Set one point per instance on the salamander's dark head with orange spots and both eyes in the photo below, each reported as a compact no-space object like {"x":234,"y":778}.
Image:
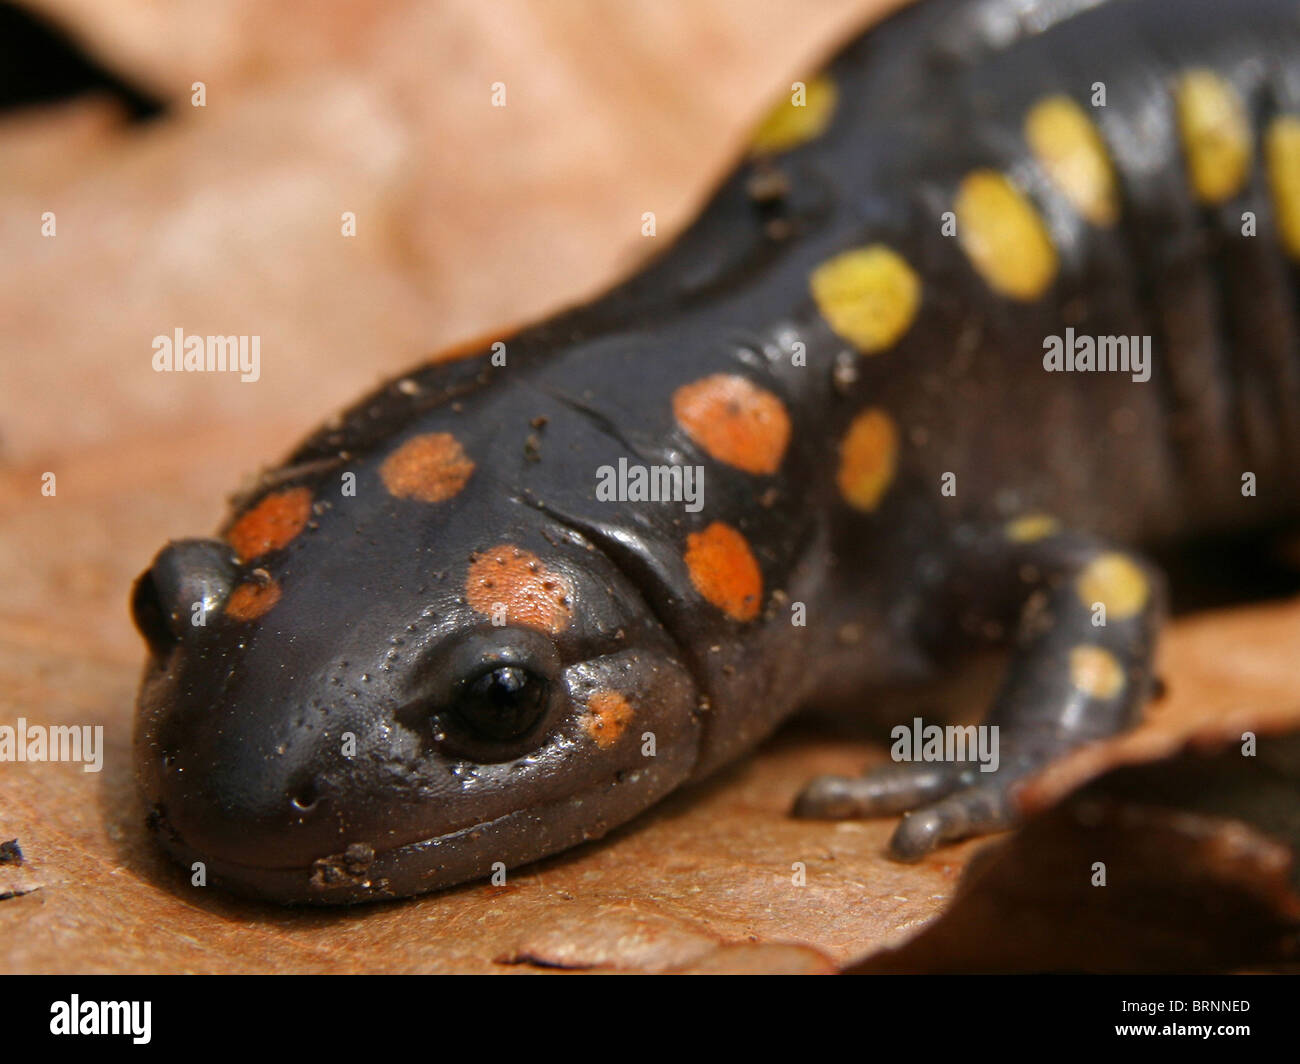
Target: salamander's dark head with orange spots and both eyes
{"x":356,"y":702}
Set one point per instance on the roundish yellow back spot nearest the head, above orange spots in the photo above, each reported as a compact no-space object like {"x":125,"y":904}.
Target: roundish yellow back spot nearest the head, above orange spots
{"x":869,"y":296}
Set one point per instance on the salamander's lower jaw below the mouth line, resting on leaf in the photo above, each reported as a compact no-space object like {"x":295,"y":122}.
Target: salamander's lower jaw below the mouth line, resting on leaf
{"x":359,"y":873}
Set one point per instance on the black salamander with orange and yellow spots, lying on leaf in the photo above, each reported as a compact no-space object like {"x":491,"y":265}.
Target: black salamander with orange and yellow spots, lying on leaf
{"x":993,"y":309}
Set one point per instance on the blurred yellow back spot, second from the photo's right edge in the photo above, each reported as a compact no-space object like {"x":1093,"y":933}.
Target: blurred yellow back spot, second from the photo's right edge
{"x":1216,"y":133}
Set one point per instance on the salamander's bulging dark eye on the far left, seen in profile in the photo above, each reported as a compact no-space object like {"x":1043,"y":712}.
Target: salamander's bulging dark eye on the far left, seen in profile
{"x":188,"y":579}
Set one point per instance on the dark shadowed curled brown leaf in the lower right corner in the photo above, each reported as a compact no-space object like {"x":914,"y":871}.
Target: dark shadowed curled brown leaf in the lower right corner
{"x":1202,"y":862}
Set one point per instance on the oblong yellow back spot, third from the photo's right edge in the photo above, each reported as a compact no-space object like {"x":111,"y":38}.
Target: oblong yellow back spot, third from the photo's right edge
{"x":1071,"y":149}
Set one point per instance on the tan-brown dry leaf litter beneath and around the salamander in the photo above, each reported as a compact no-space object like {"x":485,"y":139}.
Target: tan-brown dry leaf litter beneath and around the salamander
{"x":226,"y":220}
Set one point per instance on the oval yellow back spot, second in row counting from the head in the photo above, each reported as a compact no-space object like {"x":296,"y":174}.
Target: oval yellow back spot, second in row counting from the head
{"x":1004,"y":237}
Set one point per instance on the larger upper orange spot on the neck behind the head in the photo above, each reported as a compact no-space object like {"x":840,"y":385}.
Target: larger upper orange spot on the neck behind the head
{"x":735,"y":421}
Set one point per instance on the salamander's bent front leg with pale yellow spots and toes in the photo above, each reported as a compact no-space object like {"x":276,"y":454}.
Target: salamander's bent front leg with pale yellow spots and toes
{"x":1086,"y":617}
